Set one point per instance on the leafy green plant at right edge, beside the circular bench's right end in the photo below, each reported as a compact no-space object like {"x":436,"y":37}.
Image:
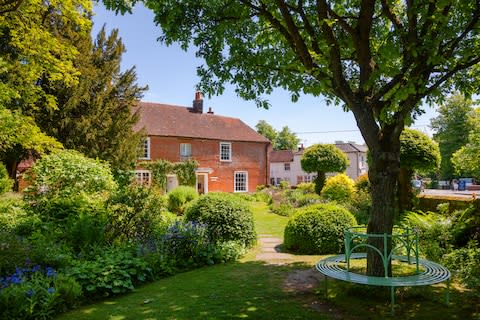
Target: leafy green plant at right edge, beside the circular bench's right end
{"x":465,"y":264}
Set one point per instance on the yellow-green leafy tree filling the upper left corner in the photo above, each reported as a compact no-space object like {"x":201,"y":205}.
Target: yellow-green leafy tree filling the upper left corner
{"x":33,"y":47}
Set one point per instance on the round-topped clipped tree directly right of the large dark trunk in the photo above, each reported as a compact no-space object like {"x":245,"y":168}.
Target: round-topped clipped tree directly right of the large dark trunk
{"x":418,"y":153}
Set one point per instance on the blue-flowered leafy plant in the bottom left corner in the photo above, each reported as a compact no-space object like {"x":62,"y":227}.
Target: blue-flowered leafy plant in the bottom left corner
{"x":36,"y":293}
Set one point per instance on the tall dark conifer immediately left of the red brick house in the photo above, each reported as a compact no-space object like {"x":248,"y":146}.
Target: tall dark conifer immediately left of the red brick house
{"x":95,"y":117}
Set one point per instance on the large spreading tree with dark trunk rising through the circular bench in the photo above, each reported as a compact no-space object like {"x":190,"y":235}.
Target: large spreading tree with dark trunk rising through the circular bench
{"x":379,"y":59}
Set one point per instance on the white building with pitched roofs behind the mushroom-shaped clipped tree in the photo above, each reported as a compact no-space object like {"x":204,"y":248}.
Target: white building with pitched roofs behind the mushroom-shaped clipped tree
{"x":285,"y":164}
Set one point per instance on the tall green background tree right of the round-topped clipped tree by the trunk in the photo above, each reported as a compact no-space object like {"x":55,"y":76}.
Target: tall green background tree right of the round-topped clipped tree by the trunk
{"x":451,"y":130}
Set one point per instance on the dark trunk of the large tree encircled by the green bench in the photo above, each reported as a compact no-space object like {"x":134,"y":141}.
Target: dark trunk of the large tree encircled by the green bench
{"x":383,"y":173}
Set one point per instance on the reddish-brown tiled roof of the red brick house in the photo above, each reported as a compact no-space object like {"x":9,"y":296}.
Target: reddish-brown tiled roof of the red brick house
{"x":175,"y":121}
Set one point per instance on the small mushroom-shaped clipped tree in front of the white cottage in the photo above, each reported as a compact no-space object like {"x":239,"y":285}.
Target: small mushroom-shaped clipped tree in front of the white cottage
{"x":323,"y":158}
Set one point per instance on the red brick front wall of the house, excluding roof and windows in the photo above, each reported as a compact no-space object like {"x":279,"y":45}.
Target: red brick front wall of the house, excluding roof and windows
{"x":246,"y":156}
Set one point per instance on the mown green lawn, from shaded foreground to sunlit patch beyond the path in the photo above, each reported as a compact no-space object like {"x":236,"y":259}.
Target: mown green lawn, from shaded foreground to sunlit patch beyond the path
{"x":254,"y":290}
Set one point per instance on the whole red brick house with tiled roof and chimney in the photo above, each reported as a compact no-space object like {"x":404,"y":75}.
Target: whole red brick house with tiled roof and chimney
{"x":232,"y":156}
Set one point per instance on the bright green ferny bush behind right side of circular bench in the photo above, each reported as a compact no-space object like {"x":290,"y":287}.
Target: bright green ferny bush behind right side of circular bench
{"x":434,"y":233}
